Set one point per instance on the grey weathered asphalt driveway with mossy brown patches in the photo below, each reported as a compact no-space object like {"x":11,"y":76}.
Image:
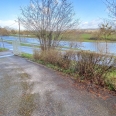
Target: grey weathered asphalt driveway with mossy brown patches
{"x":29,"y":89}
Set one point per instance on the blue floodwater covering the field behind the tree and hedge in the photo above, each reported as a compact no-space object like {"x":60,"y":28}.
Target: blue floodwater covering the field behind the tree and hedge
{"x":92,"y":46}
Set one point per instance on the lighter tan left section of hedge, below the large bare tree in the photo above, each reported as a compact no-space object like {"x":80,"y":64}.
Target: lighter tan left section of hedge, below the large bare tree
{"x":55,"y":57}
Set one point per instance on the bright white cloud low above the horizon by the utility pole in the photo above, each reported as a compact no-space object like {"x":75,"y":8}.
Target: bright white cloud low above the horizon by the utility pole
{"x":10,"y":24}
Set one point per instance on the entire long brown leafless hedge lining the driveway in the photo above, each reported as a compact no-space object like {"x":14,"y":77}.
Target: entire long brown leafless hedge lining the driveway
{"x":84,"y":65}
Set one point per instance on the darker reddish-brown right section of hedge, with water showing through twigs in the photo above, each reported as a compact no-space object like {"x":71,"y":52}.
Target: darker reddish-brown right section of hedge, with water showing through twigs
{"x":94,"y":66}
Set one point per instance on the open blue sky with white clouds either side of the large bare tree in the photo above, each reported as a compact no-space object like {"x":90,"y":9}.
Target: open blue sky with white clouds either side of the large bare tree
{"x":90,"y":12}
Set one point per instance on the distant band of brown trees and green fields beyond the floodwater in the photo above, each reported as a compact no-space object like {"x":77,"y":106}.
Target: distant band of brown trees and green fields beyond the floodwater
{"x":71,"y":35}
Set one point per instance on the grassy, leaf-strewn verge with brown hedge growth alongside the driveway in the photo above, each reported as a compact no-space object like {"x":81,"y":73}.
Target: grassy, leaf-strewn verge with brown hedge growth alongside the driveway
{"x":81,"y":71}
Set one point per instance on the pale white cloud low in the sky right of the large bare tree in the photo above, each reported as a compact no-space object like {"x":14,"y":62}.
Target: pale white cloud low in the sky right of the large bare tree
{"x":90,"y":24}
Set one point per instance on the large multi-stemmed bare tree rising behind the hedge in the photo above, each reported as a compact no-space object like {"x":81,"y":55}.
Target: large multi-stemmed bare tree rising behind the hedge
{"x":48,"y":19}
